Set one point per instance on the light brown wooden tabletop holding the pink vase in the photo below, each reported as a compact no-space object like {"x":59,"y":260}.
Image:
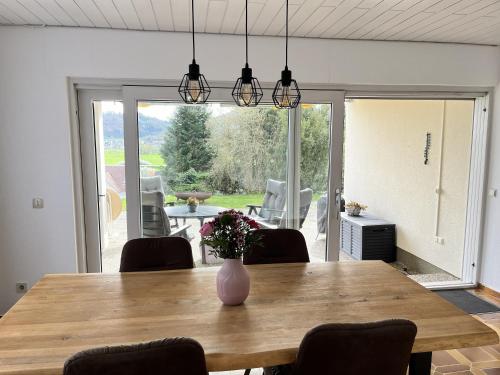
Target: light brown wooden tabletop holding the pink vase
{"x":66,"y":313}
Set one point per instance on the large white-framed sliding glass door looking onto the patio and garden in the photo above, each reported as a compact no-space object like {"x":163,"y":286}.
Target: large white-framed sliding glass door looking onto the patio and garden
{"x":148,"y":155}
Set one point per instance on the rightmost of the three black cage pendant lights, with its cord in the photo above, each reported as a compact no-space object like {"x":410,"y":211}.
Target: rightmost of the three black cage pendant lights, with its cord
{"x":286,"y":94}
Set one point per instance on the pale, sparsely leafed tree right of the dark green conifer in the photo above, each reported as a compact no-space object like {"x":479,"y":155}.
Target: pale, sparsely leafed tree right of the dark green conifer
{"x":251,"y":147}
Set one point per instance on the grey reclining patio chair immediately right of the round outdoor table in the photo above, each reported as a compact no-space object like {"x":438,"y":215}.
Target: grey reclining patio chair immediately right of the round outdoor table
{"x":274,"y":202}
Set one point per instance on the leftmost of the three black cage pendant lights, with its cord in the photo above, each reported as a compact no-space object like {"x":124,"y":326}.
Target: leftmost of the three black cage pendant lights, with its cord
{"x":194,"y":87}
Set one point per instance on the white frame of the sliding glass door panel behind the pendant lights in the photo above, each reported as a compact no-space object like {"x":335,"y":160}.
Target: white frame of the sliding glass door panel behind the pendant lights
{"x":222,"y":93}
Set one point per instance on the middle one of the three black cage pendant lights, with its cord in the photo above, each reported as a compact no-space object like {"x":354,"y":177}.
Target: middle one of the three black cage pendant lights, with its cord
{"x":247,"y":91}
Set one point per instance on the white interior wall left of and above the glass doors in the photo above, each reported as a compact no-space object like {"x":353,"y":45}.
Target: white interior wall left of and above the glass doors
{"x":34,"y":120}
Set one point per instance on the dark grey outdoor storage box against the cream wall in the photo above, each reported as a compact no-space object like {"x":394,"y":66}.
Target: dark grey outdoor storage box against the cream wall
{"x":368,"y":238}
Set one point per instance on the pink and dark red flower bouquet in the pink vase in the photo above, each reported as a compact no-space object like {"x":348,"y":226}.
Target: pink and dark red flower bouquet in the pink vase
{"x":230,"y":234}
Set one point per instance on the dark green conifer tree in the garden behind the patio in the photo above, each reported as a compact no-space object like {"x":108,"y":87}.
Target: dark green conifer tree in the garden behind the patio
{"x":185,"y":149}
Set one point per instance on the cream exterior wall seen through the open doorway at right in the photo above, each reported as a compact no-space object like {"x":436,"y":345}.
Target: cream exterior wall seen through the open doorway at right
{"x":384,"y":169}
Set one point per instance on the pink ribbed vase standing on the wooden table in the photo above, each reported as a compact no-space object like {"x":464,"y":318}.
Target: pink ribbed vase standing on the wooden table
{"x":233,"y":282}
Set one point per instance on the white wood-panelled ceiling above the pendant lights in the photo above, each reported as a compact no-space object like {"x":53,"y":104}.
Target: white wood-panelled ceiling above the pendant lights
{"x":460,"y":21}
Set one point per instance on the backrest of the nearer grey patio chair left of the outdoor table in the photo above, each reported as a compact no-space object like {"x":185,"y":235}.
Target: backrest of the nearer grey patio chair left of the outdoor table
{"x":155,"y":222}
